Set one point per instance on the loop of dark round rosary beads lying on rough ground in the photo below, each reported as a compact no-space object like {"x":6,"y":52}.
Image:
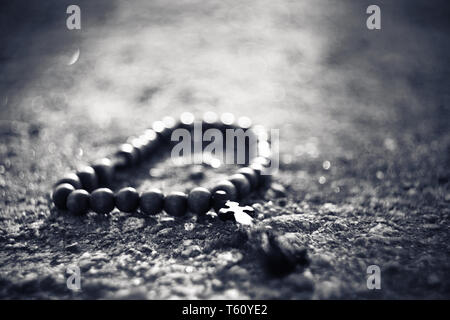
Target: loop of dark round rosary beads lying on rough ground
{"x":87,"y":189}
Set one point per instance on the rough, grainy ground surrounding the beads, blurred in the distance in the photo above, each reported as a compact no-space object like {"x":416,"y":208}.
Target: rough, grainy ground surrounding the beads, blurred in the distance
{"x":364,"y":146}
